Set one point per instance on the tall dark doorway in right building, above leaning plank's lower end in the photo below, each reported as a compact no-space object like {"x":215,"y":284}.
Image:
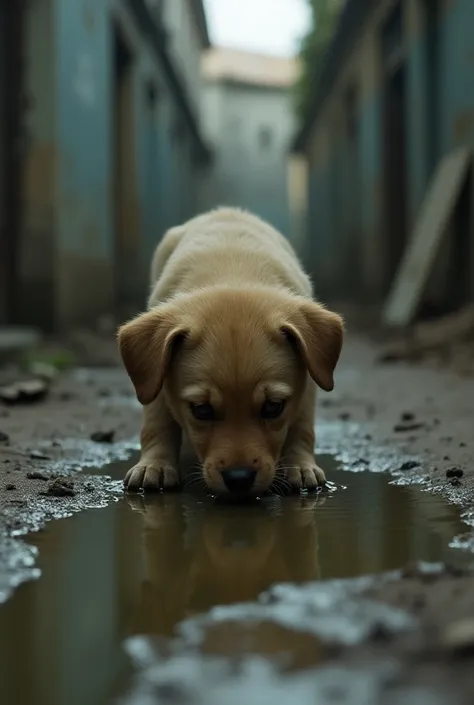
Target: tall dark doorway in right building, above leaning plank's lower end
{"x":394,"y":142}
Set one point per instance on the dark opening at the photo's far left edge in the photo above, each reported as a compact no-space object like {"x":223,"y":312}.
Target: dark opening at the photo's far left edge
{"x":11,"y":55}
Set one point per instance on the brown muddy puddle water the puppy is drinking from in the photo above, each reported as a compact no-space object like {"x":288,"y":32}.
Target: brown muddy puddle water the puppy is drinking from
{"x":142,"y":566}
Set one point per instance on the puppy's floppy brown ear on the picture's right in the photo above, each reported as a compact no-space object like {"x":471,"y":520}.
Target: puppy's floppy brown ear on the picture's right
{"x":318,"y":335}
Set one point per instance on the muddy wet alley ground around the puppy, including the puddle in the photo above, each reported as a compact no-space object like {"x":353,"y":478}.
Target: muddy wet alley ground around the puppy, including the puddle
{"x":405,"y":636}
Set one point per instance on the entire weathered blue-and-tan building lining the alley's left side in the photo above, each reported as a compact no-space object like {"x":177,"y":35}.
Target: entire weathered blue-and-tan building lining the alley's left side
{"x":102,"y":153}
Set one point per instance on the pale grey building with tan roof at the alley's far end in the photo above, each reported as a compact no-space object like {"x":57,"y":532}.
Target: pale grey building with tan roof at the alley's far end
{"x":248,"y":116}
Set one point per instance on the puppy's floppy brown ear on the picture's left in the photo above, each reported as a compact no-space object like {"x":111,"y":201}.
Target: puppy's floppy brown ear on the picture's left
{"x":146,"y":345}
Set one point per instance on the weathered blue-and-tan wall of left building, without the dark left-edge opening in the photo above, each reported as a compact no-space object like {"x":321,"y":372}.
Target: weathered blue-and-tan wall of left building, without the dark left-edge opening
{"x":86,"y":242}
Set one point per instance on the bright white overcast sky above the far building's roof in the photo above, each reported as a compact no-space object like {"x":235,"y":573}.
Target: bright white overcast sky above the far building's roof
{"x":257,"y":25}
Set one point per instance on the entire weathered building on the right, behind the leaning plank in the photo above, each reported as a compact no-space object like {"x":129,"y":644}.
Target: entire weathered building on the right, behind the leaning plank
{"x":396,"y":94}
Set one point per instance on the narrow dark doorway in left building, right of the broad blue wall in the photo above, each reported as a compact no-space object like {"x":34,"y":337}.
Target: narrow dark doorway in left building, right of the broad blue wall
{"x":123,"y":171}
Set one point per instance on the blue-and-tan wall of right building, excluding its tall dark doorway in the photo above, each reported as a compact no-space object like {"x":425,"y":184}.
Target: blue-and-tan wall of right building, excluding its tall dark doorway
{"x":346,"y":244}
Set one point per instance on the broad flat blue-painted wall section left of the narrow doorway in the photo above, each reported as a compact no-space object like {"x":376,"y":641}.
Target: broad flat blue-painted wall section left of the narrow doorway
{"x":83,"y":83}
